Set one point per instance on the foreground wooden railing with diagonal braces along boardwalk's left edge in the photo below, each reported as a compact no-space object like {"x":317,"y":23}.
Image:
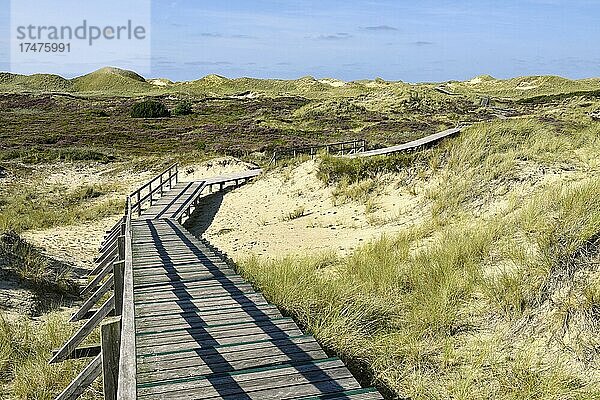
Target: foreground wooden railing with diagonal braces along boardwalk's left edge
{"x":114,"y":358}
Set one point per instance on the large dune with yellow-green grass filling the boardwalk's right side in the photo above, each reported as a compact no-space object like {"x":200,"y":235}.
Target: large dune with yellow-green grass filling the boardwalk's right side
{"x":494,"y":295}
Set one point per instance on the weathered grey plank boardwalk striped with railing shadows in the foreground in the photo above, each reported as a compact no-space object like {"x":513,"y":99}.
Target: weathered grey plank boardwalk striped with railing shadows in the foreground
{"x":192,"y":328}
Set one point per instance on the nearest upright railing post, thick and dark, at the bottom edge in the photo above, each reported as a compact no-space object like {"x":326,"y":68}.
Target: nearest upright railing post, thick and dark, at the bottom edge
{"x":110,"y":343}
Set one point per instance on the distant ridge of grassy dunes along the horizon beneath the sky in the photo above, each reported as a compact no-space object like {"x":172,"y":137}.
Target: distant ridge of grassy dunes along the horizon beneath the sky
{"x":111,"y":81}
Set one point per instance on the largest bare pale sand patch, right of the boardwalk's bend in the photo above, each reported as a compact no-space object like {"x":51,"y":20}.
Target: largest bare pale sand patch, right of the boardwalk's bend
{"x":254,"y":219}
